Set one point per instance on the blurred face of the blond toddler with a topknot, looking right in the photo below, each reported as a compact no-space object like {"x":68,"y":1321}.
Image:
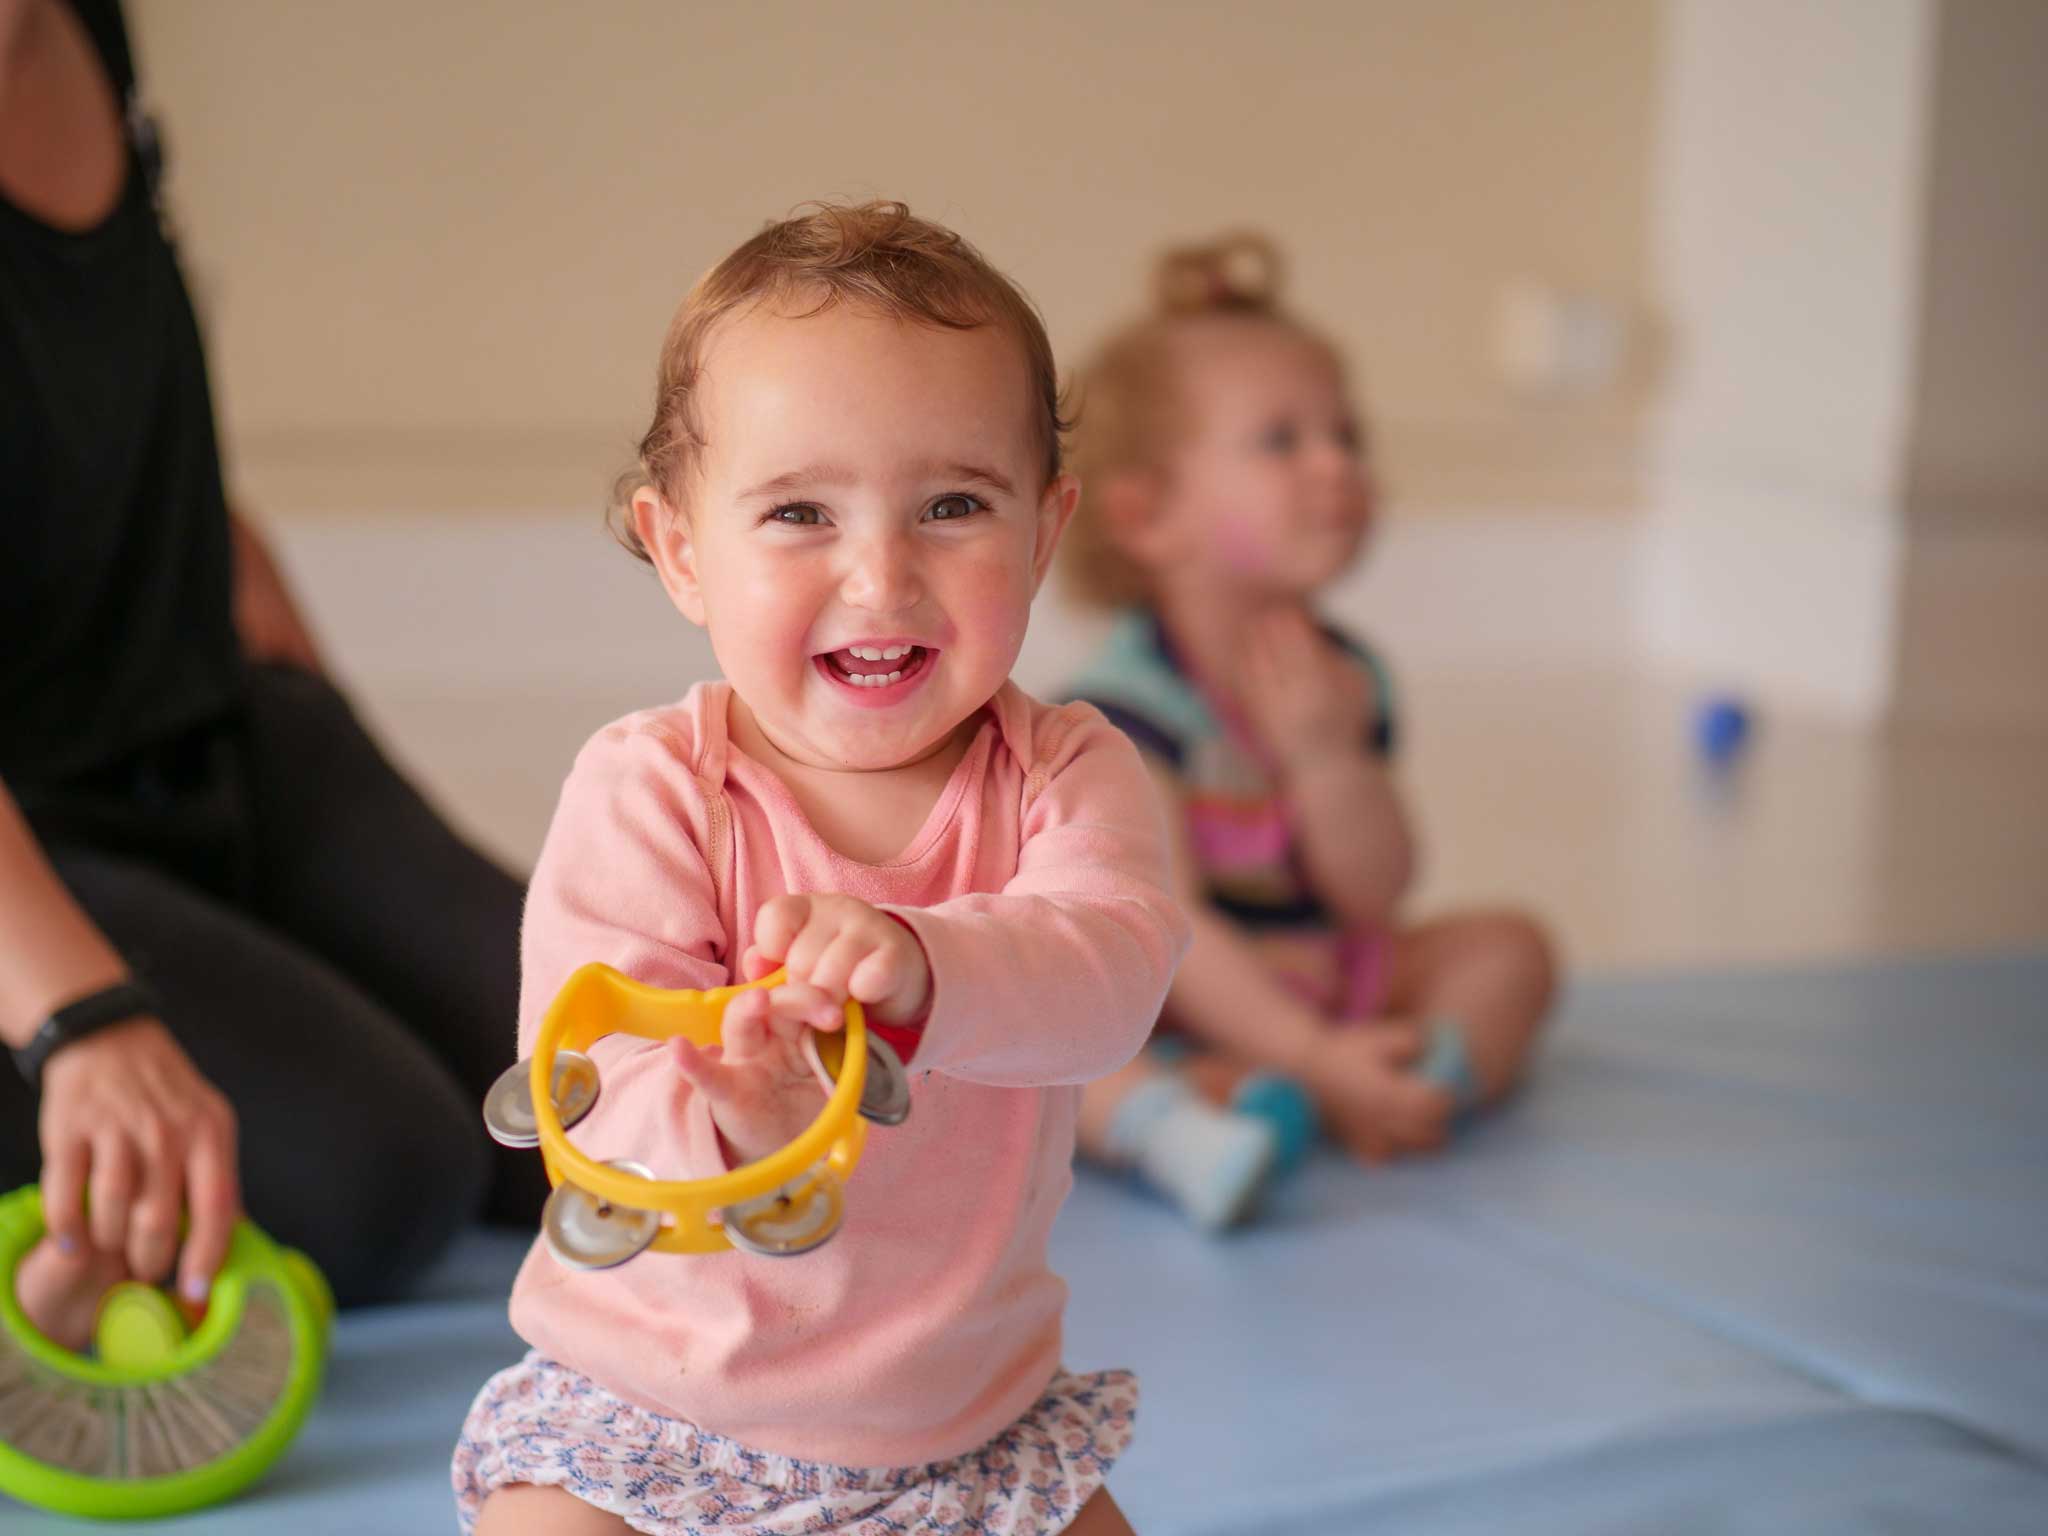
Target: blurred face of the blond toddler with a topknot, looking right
{"x":1269,"y":486}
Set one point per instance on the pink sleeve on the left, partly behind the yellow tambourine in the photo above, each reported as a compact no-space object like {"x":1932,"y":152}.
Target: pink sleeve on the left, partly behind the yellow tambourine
{"x":622,"y":880}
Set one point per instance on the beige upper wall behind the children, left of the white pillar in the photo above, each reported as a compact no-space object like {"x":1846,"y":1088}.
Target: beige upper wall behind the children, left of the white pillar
{"x":437,"y":243}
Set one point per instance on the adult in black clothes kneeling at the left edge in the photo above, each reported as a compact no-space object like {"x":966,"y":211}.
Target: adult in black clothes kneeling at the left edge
{"x":278,"y":978}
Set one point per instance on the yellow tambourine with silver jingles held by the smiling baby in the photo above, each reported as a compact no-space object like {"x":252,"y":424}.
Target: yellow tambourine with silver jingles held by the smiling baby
{"x":607,"y":1213}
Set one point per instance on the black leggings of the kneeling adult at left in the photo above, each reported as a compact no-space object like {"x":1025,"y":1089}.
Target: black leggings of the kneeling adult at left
{"x":331,"y":955}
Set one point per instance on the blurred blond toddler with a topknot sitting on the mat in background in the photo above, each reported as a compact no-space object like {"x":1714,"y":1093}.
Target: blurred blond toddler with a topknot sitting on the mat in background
{"x":1228,"y":488}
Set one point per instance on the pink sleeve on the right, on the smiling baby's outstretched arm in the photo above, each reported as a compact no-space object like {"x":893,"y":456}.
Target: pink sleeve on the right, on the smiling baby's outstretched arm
{"x":1060,"y":978}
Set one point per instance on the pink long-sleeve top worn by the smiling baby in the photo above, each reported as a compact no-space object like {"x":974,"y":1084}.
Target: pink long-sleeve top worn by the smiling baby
{"x":1039,"y":892}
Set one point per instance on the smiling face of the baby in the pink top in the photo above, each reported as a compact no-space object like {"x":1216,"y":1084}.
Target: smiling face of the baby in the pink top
{"x":865,"y":527}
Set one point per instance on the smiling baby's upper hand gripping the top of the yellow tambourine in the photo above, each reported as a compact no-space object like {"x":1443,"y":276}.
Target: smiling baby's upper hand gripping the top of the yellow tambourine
{"x":839,"y":947}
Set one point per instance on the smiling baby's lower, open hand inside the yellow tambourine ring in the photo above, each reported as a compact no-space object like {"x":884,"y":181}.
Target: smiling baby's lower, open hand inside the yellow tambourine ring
{"x":761,"y":1089}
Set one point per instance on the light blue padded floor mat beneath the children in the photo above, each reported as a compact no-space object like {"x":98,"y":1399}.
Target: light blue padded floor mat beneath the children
{"x":1754,"y":1254}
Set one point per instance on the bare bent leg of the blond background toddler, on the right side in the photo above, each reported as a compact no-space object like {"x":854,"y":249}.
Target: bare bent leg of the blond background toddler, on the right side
{"x":1494,"y":974}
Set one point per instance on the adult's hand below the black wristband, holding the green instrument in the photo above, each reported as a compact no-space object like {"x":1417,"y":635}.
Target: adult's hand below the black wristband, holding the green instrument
{"x":130,"y":1121}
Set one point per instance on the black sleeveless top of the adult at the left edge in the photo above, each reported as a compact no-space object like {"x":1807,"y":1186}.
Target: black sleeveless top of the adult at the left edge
{"x":116,"y":603}
